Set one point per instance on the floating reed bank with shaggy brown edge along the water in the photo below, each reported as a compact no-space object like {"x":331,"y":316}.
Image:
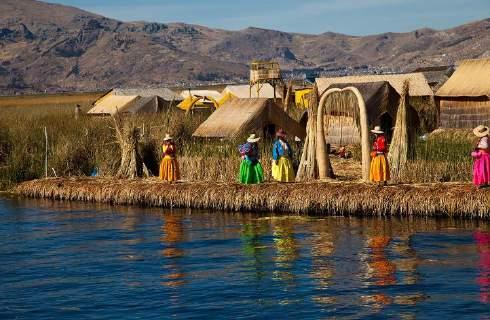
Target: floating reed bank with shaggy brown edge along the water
{"x":319,"y":198}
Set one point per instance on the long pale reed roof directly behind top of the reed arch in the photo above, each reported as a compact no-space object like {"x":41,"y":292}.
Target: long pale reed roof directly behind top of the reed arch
{"x":418,"y":83}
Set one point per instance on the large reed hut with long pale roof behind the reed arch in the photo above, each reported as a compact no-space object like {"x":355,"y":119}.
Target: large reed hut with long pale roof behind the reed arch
{"x":381,"y":94}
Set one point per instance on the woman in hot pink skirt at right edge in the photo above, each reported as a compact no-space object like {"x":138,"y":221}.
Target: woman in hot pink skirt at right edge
{"x":481,"y":156}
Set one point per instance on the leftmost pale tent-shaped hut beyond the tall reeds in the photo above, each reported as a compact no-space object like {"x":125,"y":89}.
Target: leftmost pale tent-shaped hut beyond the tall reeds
{"x":134,"y":101}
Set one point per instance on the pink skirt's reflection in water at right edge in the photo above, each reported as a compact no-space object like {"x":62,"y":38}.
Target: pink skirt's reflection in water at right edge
{"x":483,"y":245}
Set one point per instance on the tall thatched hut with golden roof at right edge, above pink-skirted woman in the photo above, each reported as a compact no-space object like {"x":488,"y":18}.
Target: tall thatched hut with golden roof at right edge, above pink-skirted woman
{"x":464,"y":100}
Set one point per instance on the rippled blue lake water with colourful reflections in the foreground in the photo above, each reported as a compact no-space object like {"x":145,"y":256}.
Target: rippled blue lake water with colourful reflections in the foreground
{"x":85,"y":261}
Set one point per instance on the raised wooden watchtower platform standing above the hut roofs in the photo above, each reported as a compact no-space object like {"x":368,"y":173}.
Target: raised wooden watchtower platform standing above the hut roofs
{"x":262,"y":72}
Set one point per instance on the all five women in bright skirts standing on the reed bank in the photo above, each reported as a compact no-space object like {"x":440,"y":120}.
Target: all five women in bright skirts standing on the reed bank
{"x":252,"y":172}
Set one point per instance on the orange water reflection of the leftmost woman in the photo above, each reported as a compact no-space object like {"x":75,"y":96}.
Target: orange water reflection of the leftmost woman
{"x":172,"y":235}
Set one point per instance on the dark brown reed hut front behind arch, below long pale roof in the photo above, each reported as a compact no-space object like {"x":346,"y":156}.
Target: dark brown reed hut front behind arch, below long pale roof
{"x":341,"y":120}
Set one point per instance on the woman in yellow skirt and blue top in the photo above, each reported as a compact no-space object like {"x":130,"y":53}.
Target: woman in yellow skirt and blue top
{"x":282,"y":164}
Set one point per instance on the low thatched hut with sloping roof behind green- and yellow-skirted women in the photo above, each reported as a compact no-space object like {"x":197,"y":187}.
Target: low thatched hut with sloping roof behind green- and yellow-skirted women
{"x":240,"y":117}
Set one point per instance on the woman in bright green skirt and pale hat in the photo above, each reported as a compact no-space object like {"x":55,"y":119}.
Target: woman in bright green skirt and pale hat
{"x":251,"y":171}
